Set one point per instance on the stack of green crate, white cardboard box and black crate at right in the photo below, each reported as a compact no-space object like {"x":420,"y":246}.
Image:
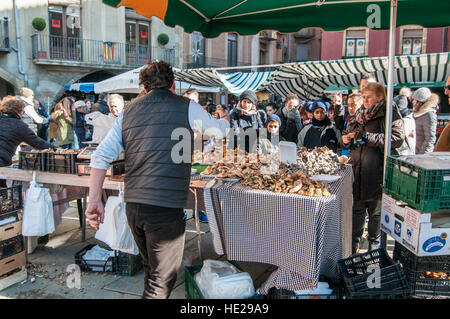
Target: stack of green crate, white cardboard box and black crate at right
{"x":416,"y":214}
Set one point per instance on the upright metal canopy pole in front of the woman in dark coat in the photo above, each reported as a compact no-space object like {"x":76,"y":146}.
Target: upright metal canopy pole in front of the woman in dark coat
{"x":390,"y":97}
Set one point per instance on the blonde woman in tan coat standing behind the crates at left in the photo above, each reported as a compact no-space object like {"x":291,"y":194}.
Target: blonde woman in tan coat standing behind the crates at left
{"x":65,"y":118}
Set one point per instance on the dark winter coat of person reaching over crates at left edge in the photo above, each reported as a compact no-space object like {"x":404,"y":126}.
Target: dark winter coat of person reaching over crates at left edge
{"x":14,"y":131}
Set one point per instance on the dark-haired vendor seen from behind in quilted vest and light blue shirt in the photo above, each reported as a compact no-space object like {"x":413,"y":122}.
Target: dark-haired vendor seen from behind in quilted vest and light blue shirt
{"x":156,"y":182}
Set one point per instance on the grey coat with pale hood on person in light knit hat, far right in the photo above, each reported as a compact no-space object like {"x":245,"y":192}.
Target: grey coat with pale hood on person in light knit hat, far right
{"x":426,"y":123}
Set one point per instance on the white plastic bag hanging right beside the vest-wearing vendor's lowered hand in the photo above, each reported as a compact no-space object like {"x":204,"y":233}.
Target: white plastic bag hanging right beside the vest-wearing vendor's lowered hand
{"x":115,"y":231}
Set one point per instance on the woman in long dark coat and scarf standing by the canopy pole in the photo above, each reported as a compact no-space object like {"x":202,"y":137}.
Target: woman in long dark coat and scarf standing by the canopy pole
{"x":364,"y":136}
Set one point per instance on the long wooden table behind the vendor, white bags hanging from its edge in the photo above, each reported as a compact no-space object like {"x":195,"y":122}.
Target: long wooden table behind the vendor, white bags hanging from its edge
{"x":83,"y":181}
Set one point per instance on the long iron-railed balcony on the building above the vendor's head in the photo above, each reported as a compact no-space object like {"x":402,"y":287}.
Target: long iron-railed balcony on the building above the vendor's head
{"x":56,"y":50}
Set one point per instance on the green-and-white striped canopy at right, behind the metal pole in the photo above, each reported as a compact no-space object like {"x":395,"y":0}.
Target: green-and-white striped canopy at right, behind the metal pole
{"x":310,"y":79}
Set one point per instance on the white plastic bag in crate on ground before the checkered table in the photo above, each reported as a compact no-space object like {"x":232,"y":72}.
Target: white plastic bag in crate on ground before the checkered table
{"x":221,"y":280}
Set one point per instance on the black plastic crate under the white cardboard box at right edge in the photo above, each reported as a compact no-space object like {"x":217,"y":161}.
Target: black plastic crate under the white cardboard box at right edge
{"x":415,"y":269}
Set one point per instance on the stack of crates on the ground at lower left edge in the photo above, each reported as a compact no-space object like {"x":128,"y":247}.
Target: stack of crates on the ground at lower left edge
{"x":12,"y":250}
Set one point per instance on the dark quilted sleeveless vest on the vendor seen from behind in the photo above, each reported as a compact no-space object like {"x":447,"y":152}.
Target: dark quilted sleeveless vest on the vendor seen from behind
{"x":151,"y":176}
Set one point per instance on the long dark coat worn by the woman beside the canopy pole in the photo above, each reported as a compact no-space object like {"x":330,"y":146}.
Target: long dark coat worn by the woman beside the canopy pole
{"x":368,"y":159}
